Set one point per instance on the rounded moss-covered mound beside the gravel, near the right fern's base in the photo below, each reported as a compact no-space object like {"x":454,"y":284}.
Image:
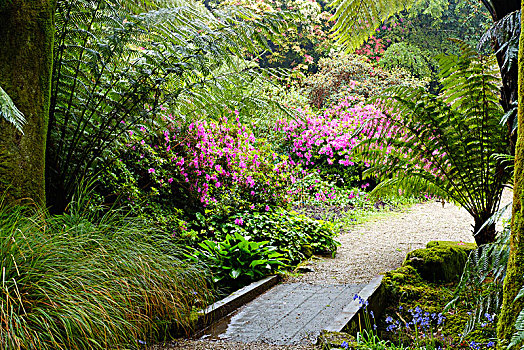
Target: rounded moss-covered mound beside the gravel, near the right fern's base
{"x":440,"y":261}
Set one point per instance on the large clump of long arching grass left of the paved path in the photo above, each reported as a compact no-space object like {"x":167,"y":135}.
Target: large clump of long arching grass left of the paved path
{"x":73,"y":282}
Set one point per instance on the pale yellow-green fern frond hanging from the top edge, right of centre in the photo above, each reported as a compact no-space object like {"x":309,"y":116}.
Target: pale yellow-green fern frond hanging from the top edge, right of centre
{"x":356,"y":20}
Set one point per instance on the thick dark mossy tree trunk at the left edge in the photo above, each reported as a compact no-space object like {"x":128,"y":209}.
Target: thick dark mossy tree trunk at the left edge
{"x":26,"y":56}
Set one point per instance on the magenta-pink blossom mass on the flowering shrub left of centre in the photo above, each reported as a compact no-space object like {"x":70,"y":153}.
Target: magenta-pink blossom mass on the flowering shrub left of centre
{"x":217,"y":161}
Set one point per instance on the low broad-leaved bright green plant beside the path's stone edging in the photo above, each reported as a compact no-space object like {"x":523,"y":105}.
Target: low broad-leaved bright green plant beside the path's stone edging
{"x":236,"y":260}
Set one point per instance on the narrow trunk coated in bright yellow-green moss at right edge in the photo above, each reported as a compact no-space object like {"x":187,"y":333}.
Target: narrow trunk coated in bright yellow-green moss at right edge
{"x":515,"y":273}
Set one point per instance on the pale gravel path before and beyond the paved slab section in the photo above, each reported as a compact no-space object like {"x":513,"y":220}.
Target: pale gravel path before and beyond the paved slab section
{"x":368,"y":250}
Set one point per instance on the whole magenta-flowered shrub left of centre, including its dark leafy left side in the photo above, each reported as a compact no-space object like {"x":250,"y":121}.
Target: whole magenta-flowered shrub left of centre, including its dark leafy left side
{"x":219,"y":166}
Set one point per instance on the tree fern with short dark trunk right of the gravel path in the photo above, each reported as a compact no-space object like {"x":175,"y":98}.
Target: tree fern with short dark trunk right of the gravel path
{"x":445,"y":143}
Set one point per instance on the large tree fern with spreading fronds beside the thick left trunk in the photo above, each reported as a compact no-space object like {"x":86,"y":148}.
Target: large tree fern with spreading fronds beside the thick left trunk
{"x":116,"y":66}
